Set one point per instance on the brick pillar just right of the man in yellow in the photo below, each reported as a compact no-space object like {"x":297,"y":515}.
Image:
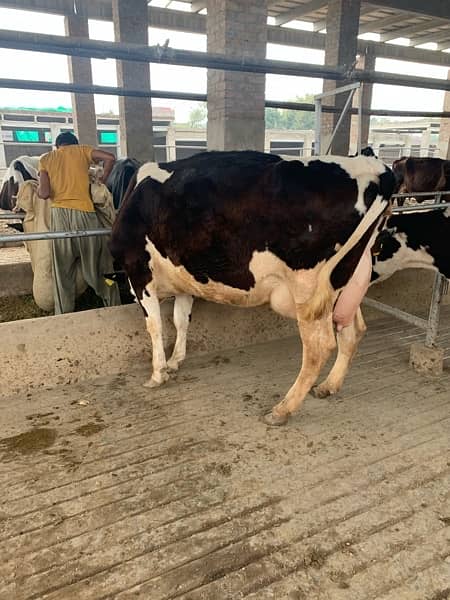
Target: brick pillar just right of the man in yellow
{"x":136,"y":132}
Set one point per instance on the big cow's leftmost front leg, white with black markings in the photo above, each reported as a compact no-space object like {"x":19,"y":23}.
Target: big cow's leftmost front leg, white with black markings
{"x":153,"y":322}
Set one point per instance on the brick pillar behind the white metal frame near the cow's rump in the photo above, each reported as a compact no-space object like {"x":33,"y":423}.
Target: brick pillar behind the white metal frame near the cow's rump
{"x":340,"y":49}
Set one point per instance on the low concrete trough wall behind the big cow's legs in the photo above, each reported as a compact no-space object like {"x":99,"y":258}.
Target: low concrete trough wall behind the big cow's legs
{"x":91,"y":343}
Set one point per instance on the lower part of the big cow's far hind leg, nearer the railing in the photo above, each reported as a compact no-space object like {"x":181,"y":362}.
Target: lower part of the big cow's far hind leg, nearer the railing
{"x":348,"y":340}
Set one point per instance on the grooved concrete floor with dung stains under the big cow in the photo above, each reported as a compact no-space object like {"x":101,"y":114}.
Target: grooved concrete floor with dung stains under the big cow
{"x":111,"y":490}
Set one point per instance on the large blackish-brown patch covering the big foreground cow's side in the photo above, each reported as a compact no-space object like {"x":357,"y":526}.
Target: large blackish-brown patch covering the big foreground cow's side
{"x":218,"y":208}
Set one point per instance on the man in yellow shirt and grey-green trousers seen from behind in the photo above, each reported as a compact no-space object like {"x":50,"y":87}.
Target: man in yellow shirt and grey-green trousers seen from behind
{"x":64,"y":179}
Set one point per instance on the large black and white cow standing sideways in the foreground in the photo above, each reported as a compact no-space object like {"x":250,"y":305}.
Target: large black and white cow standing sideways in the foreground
{"x":245,"y":228}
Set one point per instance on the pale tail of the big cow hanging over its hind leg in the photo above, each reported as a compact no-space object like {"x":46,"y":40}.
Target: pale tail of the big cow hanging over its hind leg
{"x":322,"y":300}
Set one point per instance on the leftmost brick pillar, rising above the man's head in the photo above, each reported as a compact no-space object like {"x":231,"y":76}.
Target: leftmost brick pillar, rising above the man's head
{"x":80,"y":72}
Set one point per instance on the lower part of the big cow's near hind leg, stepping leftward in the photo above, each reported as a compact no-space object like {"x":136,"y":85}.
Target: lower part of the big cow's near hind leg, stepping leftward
{"x":318,"y":341}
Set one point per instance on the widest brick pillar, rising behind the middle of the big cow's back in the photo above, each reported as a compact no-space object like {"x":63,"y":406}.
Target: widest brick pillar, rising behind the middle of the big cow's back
{"x":236,"y":100}
